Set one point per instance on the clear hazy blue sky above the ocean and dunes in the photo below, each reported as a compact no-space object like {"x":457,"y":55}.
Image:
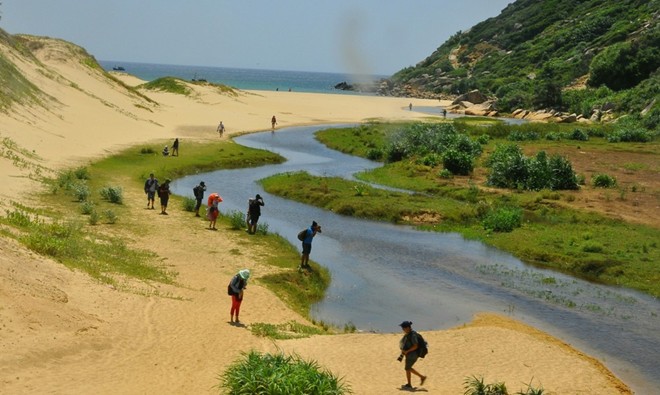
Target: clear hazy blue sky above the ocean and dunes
{"x":350,"y":36}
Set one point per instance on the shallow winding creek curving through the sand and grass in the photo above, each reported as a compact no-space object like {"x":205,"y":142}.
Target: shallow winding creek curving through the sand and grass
{"x":383,"y":274}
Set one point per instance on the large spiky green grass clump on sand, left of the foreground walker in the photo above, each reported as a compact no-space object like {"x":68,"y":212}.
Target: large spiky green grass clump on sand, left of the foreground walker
{"x":277,"y":374}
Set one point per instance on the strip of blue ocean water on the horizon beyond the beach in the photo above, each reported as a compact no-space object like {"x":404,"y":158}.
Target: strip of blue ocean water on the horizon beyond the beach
{"x":249,"y":79}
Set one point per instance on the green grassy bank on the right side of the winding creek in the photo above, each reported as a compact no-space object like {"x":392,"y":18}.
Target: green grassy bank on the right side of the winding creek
{"x":550,"y":232}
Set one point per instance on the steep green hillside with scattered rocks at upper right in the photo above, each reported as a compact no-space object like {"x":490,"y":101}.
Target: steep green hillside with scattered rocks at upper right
{"x":568,"y":55}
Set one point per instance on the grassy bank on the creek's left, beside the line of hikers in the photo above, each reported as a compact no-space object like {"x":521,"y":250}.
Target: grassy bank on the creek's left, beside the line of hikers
{"x":85,"y":222}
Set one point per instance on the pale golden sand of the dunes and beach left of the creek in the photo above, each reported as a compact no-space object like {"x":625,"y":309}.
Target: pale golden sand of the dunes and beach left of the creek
{"x":62,"y":332}
